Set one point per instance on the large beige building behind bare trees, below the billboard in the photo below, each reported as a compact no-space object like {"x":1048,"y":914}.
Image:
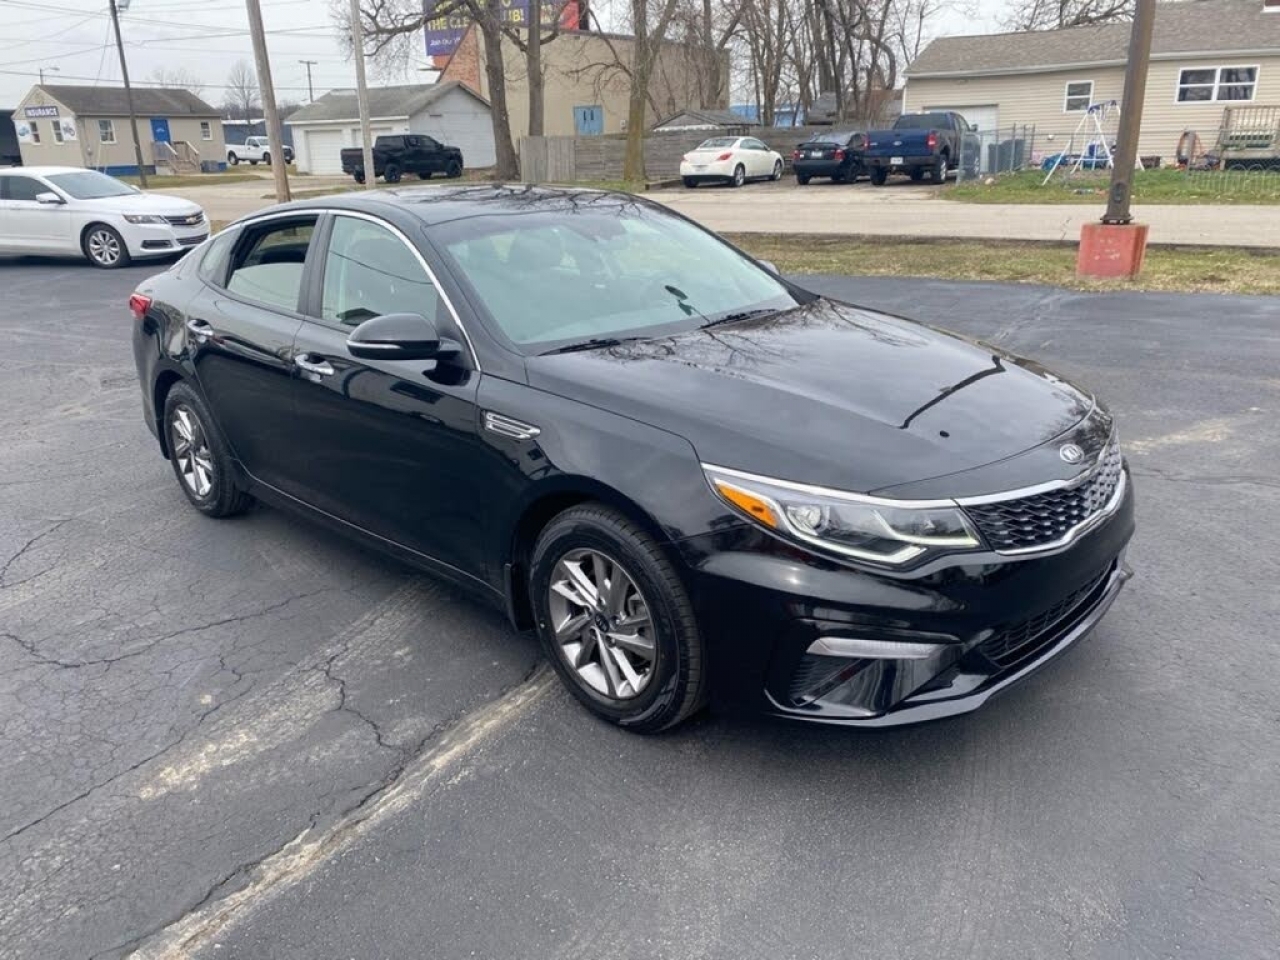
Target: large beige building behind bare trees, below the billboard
{"x":586,"y":93}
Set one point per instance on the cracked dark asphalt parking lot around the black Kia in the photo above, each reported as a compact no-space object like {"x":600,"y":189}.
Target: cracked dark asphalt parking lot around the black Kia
{"x":250,"y":739}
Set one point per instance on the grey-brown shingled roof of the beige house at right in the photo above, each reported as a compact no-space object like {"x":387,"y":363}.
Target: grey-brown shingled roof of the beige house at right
{"x":1182,"y":29}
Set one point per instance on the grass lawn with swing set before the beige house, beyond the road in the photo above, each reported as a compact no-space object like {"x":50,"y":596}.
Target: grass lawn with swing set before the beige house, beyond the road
{"x":1149,"y":188}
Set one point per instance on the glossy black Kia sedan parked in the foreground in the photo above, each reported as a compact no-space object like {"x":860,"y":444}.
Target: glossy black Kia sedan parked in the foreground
{"x":694,"y":479}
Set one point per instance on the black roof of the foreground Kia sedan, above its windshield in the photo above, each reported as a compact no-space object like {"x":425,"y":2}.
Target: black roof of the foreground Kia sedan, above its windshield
{"x":442,"y":204}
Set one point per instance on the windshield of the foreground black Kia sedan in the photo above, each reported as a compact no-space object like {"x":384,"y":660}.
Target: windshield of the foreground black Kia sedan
{"x":605,"y":272}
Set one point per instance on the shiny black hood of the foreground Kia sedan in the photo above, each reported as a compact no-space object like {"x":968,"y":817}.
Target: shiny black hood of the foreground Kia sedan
{"x":828,"y":395}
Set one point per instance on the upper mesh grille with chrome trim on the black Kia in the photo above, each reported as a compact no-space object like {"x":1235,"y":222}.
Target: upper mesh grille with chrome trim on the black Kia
{"x":1044,"y":519}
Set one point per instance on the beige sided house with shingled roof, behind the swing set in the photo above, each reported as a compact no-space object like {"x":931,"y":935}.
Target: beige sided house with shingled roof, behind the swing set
{"x":1205,"y":56}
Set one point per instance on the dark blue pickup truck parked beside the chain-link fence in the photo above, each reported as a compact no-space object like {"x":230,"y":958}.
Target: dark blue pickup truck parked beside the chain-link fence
{"x":918,"y":144}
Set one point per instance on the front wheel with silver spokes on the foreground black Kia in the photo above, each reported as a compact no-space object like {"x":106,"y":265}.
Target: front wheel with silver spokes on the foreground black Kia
{"x":616,"y":621}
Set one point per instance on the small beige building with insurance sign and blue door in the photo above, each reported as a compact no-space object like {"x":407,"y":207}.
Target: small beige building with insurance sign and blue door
{"x":67,"y":126}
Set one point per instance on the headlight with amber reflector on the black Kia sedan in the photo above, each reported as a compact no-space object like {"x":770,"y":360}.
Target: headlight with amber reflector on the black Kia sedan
{"x":847,"y":524}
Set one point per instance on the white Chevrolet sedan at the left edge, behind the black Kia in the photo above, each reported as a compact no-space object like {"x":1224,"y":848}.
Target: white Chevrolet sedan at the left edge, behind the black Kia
{"x":67,"y":211}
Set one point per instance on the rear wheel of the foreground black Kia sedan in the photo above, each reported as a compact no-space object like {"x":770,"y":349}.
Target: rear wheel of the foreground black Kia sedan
{"x":200,"y":458}
